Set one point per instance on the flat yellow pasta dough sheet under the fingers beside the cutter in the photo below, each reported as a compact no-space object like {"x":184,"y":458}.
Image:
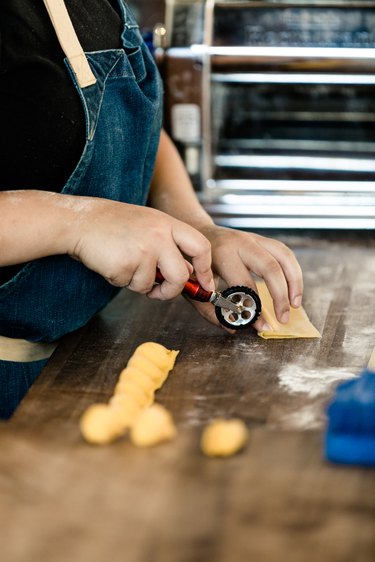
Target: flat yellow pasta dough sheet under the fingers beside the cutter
{"x":299,"y":325}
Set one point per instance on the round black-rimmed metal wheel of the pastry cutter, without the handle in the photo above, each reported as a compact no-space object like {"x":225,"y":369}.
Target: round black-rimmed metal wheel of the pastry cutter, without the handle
{"x":250,"y":308}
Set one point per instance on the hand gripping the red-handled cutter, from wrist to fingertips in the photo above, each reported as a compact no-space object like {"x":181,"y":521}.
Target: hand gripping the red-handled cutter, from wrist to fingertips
{"x":126,"y":243}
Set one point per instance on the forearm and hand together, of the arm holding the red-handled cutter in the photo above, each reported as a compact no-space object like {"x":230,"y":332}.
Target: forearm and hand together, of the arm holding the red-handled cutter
{"x":122,"y":242}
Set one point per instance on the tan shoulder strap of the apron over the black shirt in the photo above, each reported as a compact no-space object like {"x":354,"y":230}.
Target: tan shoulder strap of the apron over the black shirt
{"x":69,"y":42}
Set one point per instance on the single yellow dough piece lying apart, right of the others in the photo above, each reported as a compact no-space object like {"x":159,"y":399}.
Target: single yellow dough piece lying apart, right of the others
{"x":223,"y":438}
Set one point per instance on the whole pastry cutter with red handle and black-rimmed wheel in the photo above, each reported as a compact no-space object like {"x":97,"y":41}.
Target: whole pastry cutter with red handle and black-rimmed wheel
{"x":235,"y":307}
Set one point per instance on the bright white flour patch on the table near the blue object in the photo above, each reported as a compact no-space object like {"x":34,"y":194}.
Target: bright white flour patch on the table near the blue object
{"x":313,"y":382}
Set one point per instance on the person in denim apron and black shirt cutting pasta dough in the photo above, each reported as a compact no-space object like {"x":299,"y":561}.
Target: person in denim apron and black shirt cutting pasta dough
{"x":94,"y":195}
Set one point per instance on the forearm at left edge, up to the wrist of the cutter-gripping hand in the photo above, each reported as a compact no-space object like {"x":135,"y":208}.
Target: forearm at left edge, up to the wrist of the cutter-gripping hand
{"x":34,"y":224}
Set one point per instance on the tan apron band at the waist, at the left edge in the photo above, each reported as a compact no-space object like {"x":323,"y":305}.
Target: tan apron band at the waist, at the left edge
{"x":23,"y":351}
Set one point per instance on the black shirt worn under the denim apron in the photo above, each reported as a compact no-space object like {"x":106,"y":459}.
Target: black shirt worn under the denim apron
{"x":41,"y":117}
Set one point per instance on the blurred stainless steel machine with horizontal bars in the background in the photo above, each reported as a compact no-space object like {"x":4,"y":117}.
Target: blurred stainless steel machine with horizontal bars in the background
{"x":272,"y":106}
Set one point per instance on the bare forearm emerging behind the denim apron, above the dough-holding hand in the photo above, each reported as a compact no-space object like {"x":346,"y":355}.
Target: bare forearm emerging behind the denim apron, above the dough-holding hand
{"x":171,"y":188}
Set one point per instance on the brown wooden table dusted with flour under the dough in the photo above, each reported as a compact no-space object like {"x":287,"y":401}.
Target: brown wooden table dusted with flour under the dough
{"x":64,"y":500}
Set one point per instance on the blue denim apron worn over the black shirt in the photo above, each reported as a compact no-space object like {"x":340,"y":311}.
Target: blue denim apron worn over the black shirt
{"x":53,"y":296}
